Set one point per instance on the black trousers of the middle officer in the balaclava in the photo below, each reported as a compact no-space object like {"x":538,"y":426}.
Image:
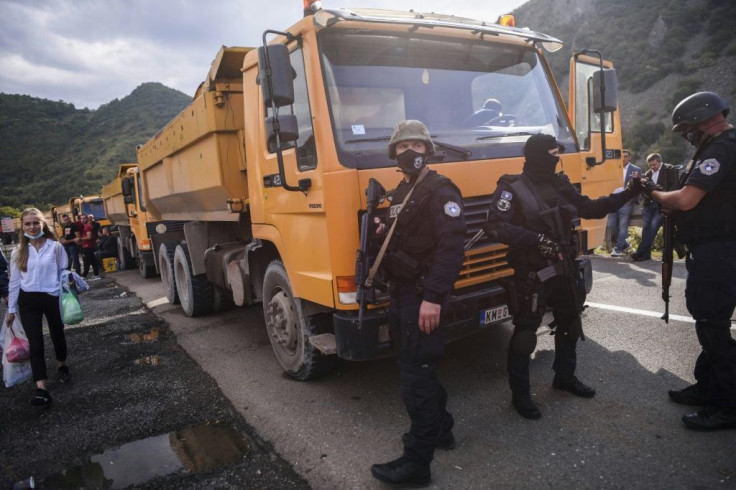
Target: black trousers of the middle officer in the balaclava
{"x":533,"y":299}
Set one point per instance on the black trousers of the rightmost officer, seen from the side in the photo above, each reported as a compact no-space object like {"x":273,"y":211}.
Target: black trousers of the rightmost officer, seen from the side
{"x":710,"y":294}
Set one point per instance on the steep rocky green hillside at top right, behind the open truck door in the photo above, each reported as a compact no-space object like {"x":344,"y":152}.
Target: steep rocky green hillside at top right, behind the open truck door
{"x":663,"y":50}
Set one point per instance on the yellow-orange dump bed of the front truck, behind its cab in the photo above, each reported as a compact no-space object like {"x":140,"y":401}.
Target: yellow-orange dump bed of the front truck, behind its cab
{"x":196,"y":163}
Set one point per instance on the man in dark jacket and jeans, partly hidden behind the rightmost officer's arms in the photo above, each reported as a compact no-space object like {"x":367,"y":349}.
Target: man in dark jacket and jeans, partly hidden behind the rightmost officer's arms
{"x":665,"y":176}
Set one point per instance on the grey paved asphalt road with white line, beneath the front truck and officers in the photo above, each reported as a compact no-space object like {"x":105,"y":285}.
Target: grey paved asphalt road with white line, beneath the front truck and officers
{"x":629,"y":436}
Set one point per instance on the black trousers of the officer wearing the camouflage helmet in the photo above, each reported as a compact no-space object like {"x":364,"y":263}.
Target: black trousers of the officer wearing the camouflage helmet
{"x":417,"y":354}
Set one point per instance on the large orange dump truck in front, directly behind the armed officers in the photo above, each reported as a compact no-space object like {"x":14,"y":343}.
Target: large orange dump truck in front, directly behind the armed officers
{"x":258,"y":187}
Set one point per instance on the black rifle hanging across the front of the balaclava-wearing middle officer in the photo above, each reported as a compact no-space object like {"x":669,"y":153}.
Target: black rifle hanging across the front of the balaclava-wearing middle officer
{"x":569,"y":267}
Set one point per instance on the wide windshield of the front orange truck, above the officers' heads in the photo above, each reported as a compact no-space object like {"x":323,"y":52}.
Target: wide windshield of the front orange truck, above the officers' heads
{"x":479,"y":99}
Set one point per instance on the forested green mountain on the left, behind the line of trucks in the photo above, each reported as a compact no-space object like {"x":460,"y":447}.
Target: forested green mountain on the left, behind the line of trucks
{"x":52,"y":151}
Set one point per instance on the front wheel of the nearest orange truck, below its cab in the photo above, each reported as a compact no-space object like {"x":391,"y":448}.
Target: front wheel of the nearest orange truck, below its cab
{"x":288,"y":330}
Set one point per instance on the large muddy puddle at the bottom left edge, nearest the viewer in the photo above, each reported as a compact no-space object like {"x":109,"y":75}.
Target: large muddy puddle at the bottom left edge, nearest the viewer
{"x":194,"y":449}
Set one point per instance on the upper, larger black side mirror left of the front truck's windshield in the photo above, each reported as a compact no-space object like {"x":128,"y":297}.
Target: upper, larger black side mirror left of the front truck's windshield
{"x":275,"y":72}
